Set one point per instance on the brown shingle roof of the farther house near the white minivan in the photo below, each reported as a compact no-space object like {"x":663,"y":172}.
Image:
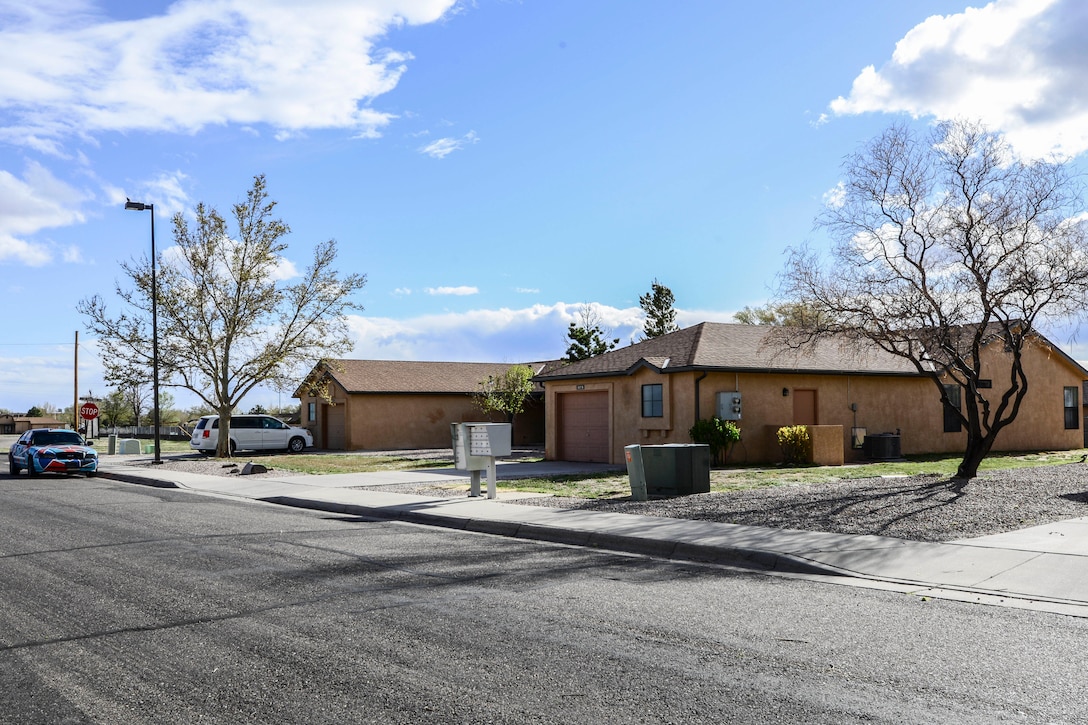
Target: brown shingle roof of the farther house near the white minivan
{"x":415,"y":377}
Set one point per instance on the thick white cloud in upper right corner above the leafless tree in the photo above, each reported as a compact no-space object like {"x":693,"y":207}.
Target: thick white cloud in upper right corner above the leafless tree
{"x":1017,"y":65}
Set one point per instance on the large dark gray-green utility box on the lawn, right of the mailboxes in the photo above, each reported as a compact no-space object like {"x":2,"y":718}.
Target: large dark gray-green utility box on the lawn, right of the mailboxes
{"x":670,"y":471}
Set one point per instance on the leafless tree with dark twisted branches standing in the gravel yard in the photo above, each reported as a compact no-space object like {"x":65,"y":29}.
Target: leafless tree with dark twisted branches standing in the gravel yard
{"x":947,"y":247}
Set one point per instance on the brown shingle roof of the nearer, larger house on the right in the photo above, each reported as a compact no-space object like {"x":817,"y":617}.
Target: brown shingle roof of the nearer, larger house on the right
{"x":722,"y":347}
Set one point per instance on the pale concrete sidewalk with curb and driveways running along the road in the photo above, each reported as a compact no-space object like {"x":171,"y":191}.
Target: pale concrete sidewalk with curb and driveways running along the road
{"x":1044,"y":569}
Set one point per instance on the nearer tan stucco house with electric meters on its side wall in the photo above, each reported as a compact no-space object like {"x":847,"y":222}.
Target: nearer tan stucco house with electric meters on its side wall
{"x":654,"y":391}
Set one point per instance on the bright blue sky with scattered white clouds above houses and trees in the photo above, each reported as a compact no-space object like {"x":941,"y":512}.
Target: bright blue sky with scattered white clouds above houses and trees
{"x":489,"y":166}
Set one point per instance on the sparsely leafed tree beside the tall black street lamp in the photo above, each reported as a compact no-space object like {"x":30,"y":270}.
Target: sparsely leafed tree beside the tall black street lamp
{"x":226,"y":326}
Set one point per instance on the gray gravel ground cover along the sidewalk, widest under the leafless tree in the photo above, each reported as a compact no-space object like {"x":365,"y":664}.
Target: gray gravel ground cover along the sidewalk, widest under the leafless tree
{"x":920,"y":508}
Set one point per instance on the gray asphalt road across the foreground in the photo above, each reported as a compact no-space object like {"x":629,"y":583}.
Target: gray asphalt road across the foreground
{"x":129,"y":605}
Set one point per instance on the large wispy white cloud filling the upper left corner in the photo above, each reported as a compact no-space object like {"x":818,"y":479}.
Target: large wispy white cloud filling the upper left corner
{"x":293,"y":67}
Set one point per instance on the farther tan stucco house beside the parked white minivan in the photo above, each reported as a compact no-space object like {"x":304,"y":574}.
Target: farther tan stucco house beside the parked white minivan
{"x":380,"y":405}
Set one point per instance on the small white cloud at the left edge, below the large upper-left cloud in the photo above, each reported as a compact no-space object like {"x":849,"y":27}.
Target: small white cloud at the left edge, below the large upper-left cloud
{"x":29,"y":205}
